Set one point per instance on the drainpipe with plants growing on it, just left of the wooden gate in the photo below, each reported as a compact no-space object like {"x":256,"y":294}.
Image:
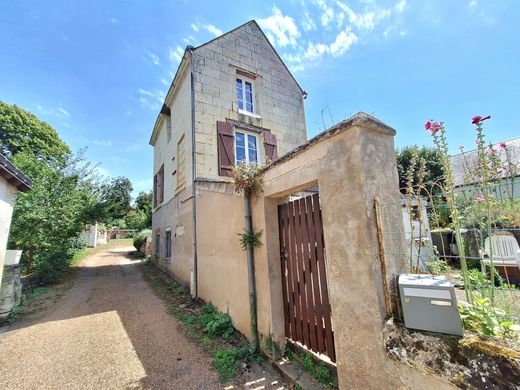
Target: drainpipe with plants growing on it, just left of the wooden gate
{"x":251,"y":273}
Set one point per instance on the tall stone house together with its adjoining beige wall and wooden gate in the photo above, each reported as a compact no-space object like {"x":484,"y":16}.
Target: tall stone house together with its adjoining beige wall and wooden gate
{"x":318,"y":275}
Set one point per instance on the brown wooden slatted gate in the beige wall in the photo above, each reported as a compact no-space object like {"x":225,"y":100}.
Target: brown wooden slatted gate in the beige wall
{"x":305,"y":293}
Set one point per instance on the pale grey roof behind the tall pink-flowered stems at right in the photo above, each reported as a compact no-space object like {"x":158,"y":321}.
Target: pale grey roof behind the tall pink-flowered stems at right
{"x":461,"y":162}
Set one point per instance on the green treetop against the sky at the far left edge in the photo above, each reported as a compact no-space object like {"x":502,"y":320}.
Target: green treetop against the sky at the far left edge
{"x":21,"y":131}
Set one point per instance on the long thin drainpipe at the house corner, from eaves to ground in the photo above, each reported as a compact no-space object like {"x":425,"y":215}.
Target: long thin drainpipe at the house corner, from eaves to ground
{"x":193,"y":281}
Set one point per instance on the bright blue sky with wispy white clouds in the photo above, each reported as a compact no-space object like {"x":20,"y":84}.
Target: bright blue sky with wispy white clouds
{"x":98,"y":71}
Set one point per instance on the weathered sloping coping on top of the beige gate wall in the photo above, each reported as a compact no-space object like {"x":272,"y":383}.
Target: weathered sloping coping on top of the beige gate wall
{"x":361,"y":119}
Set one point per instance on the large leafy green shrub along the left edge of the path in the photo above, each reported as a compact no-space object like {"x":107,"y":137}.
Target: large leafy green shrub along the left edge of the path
{"x":47,"y":221}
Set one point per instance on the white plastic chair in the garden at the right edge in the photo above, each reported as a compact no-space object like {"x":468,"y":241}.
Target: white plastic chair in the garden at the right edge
{"x":504,"y":250}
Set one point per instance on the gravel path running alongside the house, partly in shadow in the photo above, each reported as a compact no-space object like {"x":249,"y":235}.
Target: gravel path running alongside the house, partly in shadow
{"x":109,"y":331}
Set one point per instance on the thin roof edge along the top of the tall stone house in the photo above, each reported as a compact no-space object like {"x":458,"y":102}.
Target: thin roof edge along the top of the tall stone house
{"x":183,"y":63}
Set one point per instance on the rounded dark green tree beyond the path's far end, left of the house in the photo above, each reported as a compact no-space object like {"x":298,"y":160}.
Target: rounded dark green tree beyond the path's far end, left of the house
{"x":116,"y":199}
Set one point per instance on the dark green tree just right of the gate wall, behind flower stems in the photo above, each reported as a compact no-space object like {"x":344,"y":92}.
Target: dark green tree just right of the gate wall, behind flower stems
{"x":434,"y":173}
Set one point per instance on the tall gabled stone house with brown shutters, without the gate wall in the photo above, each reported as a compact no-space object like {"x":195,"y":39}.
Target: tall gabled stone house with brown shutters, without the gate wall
{"x":232,"y":99}
